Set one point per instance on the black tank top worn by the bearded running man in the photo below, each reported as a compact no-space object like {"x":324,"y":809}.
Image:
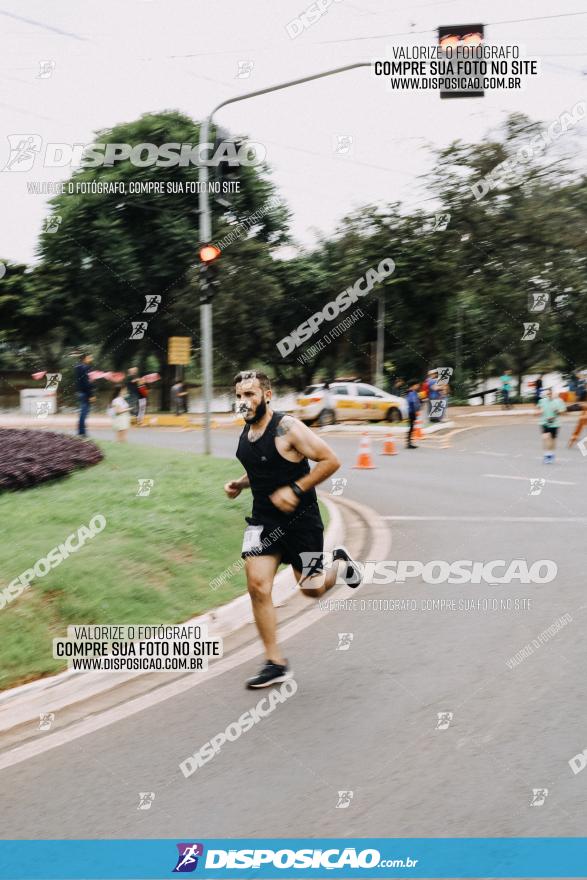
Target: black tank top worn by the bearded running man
{"x":267,"y":471}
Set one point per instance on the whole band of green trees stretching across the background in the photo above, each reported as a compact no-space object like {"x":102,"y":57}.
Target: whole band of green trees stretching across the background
{"x":460,"y":294}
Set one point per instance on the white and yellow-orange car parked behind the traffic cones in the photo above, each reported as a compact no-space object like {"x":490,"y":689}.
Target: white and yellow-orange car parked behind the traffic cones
{"x":349,"y":401}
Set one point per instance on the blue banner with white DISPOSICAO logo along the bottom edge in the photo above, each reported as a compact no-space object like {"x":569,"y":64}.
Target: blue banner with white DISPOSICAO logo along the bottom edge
{"x":383,"y":858}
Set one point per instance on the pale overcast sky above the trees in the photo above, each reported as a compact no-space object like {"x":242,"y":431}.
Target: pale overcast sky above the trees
{"x":117,"y":59}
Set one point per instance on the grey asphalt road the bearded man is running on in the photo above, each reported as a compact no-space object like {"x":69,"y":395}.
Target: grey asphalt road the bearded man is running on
{"x":365,"y":720}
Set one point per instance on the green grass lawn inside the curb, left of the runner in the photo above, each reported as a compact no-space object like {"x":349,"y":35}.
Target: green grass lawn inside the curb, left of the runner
{"x":152,"y":563}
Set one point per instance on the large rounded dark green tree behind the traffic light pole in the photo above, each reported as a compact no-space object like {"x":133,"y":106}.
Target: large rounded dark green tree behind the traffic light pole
{"x":114,"y":250}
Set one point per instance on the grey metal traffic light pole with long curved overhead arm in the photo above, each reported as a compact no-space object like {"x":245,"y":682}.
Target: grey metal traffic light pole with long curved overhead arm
{"x":206,"y":231}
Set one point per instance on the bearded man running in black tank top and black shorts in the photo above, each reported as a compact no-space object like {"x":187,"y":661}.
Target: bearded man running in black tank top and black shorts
{"x":285,"y":525}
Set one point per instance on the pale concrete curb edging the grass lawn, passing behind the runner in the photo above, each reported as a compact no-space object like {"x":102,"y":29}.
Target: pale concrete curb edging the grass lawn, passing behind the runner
{"x":24,"y":704}
